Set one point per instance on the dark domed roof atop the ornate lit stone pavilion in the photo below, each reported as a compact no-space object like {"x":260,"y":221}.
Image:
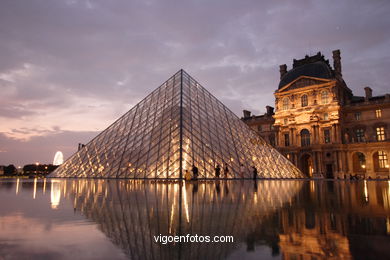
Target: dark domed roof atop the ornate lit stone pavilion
{"x":317,"y":69}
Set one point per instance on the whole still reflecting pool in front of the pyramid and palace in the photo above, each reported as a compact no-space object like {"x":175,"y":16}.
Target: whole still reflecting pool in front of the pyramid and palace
{"x":123,"y":219}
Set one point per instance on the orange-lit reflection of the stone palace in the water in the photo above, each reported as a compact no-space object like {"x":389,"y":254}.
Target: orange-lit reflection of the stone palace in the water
{"x":333,"y":220}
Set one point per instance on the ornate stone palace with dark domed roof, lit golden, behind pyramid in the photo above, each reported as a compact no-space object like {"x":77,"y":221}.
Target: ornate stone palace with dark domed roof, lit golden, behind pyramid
{"x":321,"y":127}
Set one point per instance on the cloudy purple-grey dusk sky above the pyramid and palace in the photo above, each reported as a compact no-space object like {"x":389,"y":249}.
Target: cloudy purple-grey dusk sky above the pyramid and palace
{"x":70,"y":68}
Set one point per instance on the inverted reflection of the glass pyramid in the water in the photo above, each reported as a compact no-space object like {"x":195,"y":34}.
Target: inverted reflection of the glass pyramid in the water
{"x":132,"y":212}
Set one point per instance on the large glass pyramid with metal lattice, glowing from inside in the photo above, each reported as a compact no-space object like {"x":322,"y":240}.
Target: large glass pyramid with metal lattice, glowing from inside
{"x":178,"y":125}
